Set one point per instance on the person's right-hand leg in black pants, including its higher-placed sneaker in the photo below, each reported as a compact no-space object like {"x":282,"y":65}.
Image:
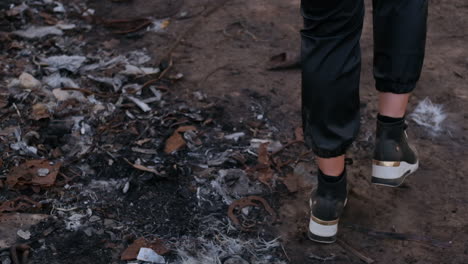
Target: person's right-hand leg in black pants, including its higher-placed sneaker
{"x":399,"y":43}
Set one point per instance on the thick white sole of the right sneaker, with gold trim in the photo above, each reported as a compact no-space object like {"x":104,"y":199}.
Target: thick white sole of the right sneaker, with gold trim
{"x":391,"y":175}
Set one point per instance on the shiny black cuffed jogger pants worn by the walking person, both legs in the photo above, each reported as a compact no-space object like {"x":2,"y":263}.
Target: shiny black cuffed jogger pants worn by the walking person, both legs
{"x":331,"y":63}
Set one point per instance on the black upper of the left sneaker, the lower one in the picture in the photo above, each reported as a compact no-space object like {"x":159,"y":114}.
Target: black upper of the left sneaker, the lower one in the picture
{"x":328,"y":199}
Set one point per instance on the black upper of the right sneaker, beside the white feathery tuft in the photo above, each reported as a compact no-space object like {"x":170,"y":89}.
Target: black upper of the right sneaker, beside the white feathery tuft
{"x":392,"y":143}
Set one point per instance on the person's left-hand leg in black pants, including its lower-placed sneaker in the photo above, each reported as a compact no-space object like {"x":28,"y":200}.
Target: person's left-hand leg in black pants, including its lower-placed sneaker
{"x":331,"y":63}
